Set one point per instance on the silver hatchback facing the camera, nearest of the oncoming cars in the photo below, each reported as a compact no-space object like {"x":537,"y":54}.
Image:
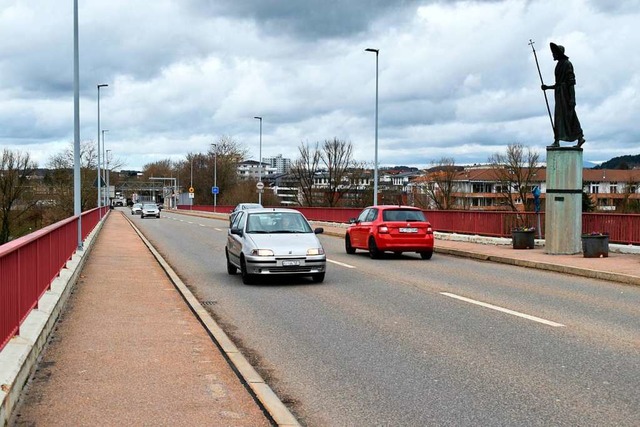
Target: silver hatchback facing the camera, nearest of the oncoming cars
{"x":265,"y":242}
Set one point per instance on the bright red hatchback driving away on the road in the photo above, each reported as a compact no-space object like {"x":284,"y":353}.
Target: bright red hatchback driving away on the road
{"x":390,"y":228}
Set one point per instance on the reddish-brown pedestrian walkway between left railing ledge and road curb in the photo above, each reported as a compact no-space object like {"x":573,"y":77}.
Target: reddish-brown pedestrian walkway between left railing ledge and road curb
{"x":127,"y":350}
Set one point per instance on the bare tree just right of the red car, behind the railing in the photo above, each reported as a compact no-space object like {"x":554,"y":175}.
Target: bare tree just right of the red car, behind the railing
{"x":441,"y":184}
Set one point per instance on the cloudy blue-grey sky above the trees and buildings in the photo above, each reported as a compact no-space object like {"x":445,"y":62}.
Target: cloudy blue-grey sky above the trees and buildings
{"x":456,"y":78}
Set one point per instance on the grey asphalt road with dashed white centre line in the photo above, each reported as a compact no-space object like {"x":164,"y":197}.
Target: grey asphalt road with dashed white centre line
{"x":405,"y":341}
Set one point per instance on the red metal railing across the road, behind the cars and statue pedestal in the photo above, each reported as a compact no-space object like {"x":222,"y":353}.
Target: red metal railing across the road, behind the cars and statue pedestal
{"x":622,"y":228}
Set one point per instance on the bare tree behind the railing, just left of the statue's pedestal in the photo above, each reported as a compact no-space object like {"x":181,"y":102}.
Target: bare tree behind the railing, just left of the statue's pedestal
{"x":515,"y":171}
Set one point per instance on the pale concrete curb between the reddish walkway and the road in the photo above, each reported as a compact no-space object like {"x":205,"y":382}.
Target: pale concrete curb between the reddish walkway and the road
{"x":262,"y":393}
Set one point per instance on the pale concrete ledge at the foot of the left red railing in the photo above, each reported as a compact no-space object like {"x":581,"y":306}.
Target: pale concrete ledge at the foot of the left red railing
{"x":22,"y":352}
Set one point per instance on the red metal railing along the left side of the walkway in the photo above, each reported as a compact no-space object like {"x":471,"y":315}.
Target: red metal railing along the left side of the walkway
{"x":29,"y":265}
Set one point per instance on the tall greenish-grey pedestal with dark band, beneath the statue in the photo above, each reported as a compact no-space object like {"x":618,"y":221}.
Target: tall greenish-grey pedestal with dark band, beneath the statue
{"x":563,"y":205}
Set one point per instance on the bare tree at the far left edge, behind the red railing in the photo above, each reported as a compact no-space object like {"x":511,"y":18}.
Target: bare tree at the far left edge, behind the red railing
{"x":15,"y":167}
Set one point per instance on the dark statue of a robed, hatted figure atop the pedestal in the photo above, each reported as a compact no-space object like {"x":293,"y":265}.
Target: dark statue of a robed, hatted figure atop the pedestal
{"x":566,"y":123}
